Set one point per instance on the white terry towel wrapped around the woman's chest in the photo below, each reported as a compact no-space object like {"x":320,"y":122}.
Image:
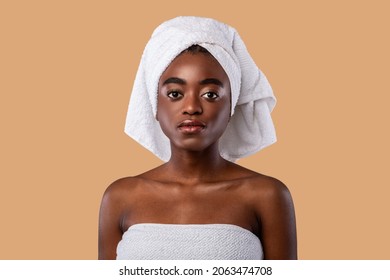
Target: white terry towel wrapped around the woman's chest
{"x":150,"y":241}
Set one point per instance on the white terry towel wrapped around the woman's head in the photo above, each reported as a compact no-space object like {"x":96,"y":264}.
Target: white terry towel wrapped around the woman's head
{"x":250,"y":128}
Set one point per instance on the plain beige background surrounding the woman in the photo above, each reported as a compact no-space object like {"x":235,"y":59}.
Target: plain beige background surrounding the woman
{"x":66,"y":71}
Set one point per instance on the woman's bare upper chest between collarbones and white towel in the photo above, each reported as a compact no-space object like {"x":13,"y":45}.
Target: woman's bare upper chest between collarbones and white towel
{"x":201,"y":205}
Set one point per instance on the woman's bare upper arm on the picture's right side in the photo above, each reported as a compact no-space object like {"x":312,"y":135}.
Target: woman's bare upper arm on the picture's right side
{"x":277,"y":217}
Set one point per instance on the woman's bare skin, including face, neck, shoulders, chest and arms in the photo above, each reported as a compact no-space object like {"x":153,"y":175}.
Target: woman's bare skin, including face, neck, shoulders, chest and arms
{"x":198,"y":186}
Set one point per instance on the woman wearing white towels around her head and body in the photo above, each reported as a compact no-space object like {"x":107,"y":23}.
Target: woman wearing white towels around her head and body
{"x":199,"y":102}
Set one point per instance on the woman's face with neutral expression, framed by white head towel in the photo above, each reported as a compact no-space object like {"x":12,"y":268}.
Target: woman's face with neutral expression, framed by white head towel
{"x":193,"y":101}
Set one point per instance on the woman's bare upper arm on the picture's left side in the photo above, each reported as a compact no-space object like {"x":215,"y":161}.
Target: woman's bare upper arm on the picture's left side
{"x":110,"y":232}
